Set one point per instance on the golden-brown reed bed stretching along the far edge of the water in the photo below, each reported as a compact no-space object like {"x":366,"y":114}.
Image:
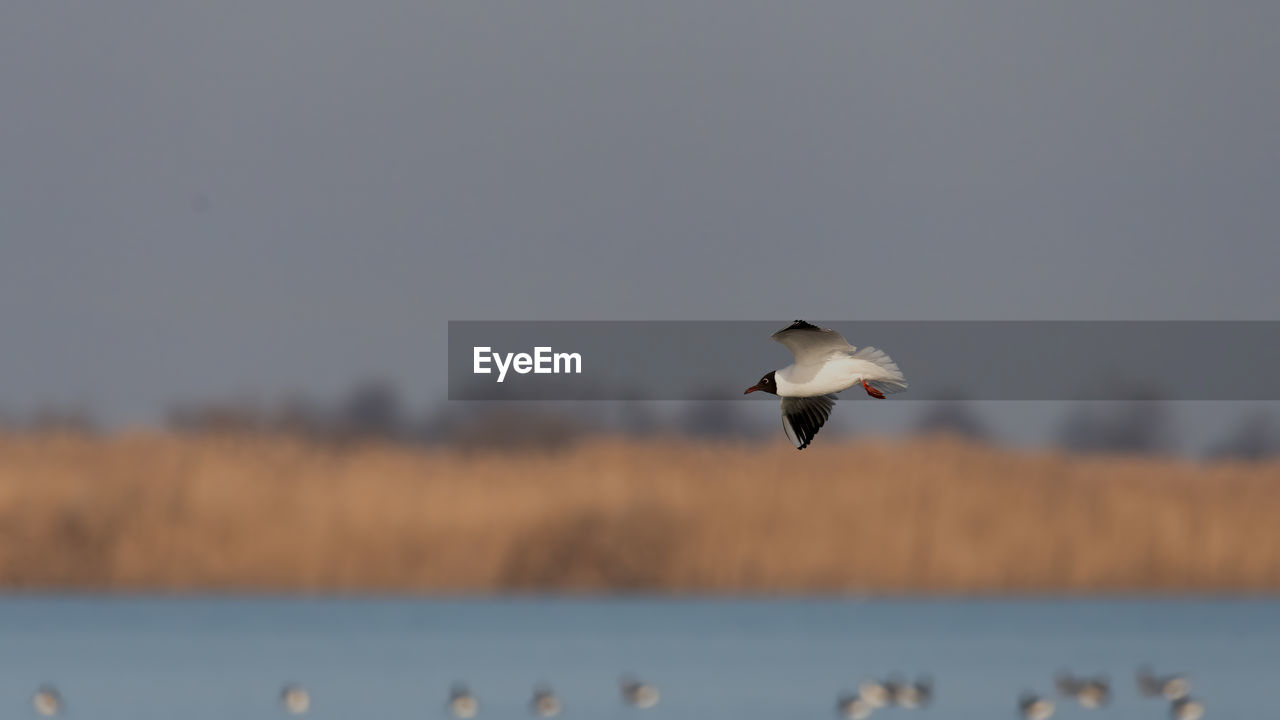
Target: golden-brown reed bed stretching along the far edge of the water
{"x":163,"y":512}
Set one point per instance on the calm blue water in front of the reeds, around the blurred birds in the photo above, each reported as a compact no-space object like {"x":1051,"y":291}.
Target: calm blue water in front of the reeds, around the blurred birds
{"x":172,"y":659}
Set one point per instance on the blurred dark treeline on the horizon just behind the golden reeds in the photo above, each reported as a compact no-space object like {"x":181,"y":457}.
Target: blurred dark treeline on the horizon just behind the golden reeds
{"x":1139,"y":422}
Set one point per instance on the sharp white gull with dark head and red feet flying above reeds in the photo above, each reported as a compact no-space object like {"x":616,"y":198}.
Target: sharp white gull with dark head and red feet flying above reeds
{"x":825,"y":366}
